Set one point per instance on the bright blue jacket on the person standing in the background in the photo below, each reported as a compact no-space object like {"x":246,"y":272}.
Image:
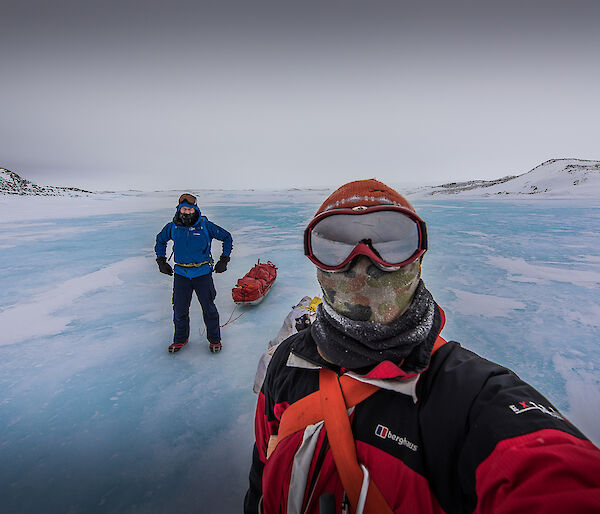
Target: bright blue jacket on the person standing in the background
{"x":192,"y":244}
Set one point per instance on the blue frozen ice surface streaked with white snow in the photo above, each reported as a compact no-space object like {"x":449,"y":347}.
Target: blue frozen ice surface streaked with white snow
{"x":96,"y":416}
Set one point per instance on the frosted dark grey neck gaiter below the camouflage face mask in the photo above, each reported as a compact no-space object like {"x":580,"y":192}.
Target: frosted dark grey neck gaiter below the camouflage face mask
{"x":406,"y":342}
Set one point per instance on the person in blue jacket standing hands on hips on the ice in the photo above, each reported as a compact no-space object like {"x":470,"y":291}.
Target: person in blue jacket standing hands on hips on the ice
{"x":192,"y":235}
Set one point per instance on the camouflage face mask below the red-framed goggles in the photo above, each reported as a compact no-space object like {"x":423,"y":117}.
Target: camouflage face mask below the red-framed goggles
{"x":366,"y":293}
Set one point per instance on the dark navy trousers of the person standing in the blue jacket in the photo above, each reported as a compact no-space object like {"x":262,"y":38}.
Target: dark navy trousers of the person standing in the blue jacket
{"x":182,"y":298}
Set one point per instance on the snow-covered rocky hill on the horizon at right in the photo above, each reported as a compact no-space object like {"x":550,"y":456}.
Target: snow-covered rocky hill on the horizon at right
{"x":553,"y":178}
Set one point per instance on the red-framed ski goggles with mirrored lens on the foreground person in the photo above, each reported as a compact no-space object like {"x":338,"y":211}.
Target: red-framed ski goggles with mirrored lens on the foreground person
{"x":390,"y":236}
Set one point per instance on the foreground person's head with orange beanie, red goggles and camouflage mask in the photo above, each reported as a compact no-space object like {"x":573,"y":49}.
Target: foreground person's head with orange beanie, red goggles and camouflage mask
{"x":368,"y":251}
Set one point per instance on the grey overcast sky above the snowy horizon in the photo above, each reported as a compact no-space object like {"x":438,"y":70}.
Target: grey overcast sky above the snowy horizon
{"x":117,"y":94}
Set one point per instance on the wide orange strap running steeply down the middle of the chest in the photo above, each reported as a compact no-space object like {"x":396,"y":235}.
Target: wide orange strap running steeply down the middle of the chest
{"x":343,"y":446}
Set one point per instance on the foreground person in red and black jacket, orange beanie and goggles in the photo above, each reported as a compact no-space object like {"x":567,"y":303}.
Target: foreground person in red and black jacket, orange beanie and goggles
{"x":433,"y":427}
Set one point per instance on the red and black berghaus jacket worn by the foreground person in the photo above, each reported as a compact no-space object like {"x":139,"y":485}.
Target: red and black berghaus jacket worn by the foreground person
{"x":468,"y":436}
